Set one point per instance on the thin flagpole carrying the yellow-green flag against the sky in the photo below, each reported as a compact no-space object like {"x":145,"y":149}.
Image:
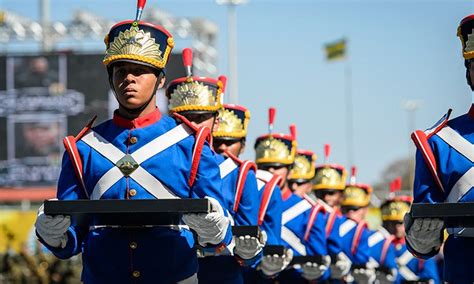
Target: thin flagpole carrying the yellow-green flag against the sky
{"x":349,"y":113}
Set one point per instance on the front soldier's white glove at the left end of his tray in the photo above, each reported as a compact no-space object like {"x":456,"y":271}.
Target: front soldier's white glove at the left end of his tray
{"x":52,"y":229}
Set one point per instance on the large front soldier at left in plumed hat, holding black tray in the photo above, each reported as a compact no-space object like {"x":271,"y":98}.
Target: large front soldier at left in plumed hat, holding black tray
{"x":139,"y":154}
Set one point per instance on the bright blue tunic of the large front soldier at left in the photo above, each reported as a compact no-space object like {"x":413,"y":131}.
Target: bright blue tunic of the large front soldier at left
{"x":148,"y":255}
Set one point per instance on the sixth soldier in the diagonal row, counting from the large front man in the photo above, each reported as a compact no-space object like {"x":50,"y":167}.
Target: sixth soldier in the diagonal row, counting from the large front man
{"x":328,"y":184}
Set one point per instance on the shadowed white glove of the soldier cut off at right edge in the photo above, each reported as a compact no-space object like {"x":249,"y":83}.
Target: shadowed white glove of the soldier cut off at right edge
{"x":423,"y":234}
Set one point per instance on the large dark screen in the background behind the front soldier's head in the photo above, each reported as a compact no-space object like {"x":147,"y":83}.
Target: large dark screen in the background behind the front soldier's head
{"x":46,"y":97}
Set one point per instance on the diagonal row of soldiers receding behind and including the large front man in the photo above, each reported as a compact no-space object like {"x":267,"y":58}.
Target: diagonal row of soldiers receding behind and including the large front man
{"x":310,"y":221}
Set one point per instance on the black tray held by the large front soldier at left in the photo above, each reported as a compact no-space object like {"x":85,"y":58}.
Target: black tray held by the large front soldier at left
{"x":126,"y":212}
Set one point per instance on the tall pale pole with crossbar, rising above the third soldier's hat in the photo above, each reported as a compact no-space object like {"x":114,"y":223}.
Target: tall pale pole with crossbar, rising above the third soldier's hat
{"x":232,"y":46}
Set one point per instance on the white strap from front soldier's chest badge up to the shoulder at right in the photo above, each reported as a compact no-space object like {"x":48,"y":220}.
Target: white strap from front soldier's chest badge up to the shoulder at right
{"x":161,"y":143}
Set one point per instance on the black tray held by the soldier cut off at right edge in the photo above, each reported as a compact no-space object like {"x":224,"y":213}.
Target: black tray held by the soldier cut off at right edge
{"x":454,"y":214}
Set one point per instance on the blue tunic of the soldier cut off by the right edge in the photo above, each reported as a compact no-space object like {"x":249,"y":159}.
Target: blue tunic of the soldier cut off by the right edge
{"x":451,"y":144}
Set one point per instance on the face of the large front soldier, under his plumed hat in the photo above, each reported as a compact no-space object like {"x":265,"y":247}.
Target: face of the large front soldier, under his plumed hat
{"x":133,"y":84}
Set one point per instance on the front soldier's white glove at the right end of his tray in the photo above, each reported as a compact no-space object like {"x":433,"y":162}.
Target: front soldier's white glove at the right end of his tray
{"x":211,"y":228}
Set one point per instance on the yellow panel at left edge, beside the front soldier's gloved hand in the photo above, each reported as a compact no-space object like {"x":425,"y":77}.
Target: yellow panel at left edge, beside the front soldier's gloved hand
{"x":16,"y":229}
